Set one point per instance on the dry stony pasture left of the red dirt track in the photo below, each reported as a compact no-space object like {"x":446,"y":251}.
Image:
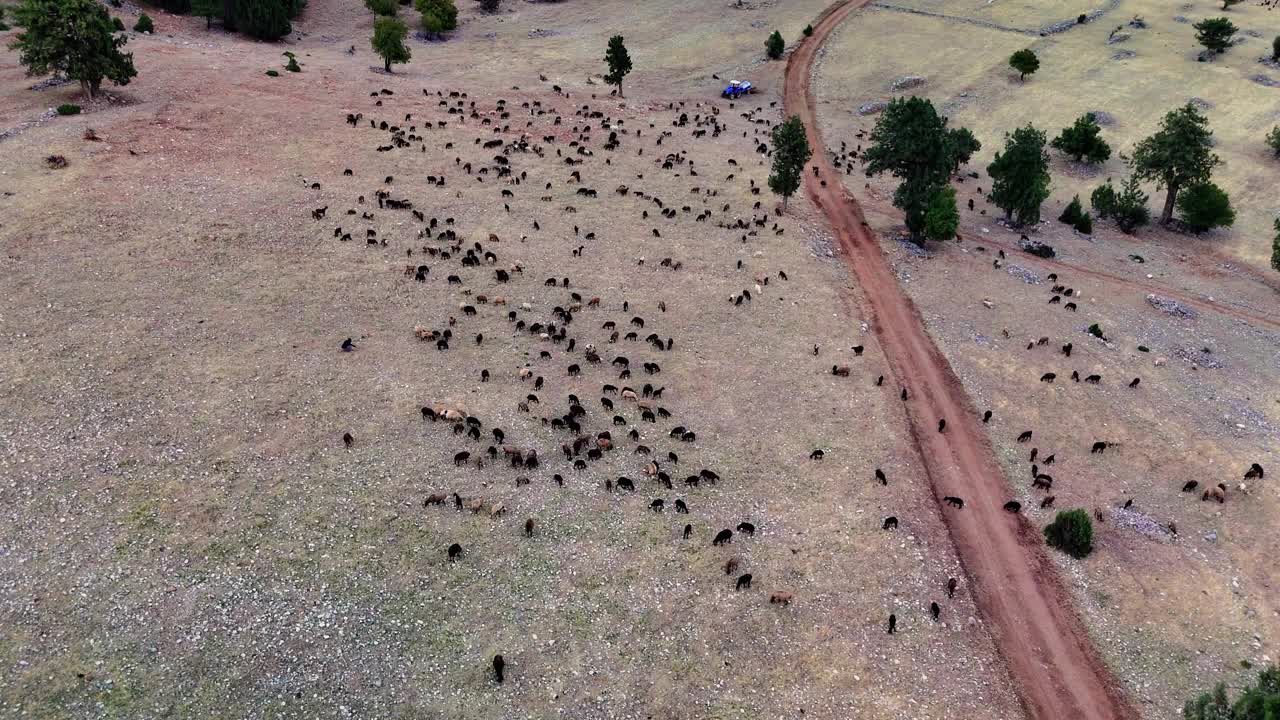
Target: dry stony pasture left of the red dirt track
{"x":186,"y":534}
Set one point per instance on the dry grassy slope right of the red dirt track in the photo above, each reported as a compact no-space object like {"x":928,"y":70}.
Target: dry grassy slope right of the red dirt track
{"x":1169,"y":612}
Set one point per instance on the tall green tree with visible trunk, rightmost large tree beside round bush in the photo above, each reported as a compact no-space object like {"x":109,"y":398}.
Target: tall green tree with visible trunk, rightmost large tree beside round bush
{"x":1178,"y":156}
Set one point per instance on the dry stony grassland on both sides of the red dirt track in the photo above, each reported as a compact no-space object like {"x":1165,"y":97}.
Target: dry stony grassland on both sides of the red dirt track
{"x":185,"y":534}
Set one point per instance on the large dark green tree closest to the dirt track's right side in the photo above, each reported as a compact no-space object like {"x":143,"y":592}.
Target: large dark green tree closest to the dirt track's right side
{"x":912,"y":143}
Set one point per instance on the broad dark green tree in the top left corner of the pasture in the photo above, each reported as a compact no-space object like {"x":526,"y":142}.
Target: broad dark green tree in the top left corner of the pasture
{"x":74,"y":38}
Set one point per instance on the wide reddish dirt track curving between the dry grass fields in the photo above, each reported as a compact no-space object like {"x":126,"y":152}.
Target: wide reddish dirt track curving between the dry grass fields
{"x":1045,"y":645}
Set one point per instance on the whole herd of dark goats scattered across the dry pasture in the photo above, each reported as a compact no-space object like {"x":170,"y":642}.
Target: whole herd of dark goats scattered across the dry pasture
{"x":479,"y":274}
